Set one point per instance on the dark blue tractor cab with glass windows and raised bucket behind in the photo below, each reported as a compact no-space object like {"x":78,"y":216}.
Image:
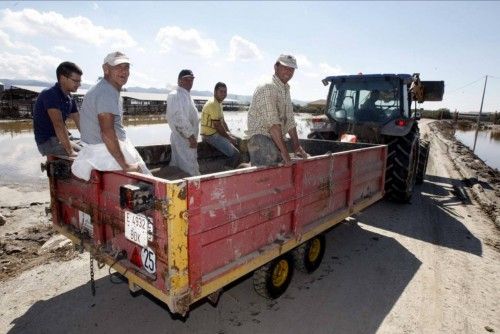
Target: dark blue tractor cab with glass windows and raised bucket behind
{"x":372,"y":106}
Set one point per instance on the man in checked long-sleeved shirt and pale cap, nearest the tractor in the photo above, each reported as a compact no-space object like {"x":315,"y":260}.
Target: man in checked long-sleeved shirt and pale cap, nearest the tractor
{"x":270,"y":118}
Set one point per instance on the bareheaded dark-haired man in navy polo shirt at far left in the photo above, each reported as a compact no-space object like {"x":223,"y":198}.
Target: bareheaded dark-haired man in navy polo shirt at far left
{"x":53,"y":106}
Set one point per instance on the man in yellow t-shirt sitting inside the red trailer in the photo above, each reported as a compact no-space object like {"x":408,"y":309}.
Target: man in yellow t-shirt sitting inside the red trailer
{"x":214,"y":129}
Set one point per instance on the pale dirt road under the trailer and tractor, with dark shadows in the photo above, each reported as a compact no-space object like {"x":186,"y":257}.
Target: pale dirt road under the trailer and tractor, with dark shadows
{"x":431,"y":266}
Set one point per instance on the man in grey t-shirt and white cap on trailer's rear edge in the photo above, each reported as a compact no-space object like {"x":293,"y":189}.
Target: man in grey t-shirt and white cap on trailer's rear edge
{"x":101,"y":124}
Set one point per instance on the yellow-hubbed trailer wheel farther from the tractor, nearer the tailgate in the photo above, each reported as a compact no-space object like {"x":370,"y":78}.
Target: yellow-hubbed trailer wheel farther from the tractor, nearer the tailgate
{"x":272,"y":279}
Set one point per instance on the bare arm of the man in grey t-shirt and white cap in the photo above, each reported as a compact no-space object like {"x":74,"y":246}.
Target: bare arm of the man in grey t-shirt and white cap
{"x":106,"y":123}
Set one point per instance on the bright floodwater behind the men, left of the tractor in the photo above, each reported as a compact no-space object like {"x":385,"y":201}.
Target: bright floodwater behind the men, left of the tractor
{"x":21,"y":160}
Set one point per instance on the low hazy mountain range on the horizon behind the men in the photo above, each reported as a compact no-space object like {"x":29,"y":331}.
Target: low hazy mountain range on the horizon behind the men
{"x":240,"y":98}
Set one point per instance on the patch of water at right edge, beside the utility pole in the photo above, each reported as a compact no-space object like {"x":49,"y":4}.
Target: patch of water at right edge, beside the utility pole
{"x":487,"y":145}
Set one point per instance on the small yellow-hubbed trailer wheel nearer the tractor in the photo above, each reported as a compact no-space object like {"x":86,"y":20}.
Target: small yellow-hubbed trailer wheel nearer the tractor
{"x":309,"y":255}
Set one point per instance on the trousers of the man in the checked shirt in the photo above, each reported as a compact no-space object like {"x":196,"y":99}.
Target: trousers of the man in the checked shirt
{"x":263,"y":151}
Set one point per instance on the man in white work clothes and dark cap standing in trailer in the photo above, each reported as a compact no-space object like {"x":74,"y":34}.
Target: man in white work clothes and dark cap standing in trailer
{"x":182,"y":117}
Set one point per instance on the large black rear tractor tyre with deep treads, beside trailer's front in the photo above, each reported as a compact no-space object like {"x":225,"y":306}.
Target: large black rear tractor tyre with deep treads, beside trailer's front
{"x":401,"y":170}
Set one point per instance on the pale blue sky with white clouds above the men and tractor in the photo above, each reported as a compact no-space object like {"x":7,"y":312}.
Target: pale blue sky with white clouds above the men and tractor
{"x":238,"y":43}
